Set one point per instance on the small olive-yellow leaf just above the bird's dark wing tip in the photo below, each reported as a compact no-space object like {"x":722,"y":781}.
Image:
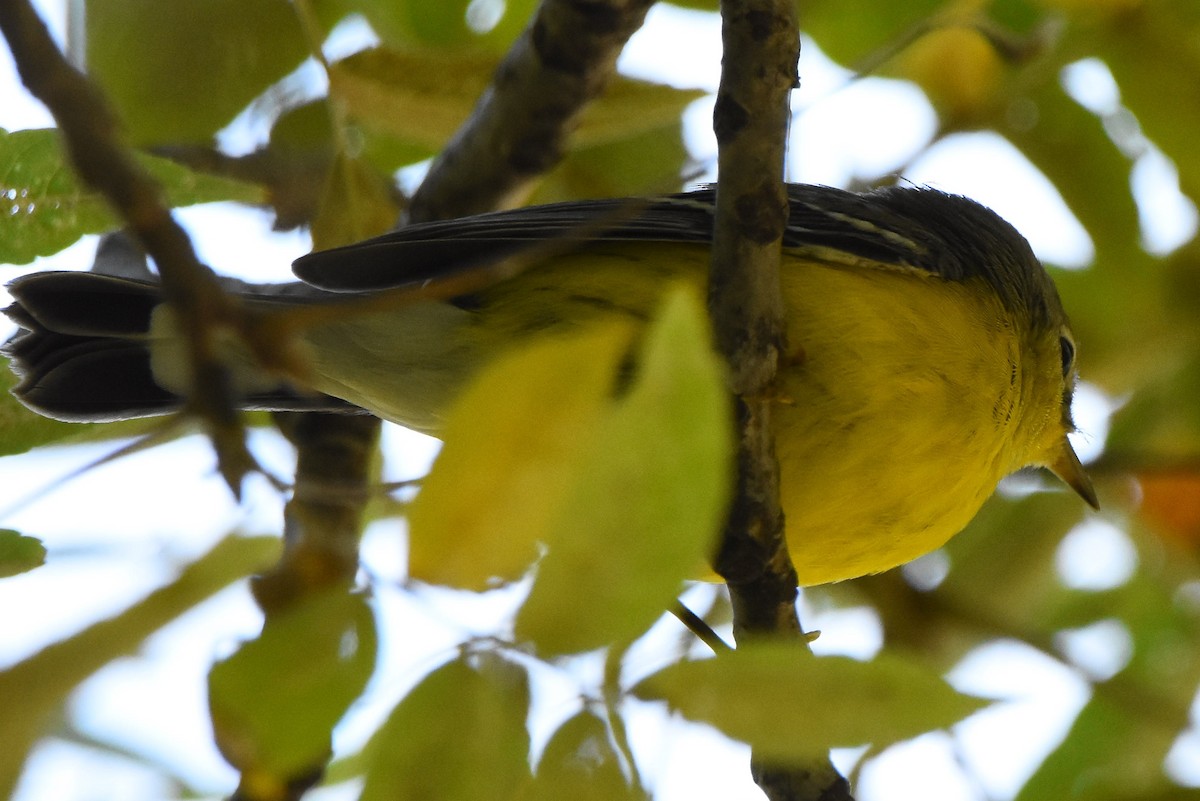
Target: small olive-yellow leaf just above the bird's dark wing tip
{"x":357,"y":204}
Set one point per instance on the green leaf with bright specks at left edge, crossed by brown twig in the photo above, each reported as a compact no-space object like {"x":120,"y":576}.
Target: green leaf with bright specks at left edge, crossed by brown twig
{"x":49,"y":209}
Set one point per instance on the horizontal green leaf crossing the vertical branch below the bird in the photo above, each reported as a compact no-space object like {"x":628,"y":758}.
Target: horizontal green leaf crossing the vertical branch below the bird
{"x":789,"y":704}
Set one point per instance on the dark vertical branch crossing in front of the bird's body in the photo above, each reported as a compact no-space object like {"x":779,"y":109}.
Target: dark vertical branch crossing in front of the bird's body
{"x":759,"y":70}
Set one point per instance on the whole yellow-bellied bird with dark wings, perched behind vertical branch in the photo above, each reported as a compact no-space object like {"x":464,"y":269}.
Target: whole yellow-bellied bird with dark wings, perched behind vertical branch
{"x":934,"y":356}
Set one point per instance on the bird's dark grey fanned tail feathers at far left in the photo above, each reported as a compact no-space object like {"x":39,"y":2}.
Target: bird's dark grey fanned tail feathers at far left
{"x":83,"y":351}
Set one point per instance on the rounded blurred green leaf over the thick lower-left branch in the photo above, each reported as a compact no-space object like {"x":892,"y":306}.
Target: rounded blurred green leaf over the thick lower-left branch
{"x":275,"y":702}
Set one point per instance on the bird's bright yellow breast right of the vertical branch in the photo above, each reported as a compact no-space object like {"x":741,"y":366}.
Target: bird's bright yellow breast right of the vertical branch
{"x":899,"y":415}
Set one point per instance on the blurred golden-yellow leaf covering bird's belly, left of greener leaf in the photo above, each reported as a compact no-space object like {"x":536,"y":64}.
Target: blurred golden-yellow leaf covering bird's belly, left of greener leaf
{"x":500,"y":483}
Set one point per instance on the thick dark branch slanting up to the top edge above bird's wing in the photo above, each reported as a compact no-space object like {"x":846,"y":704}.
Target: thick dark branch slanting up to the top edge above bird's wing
{"x":519,"y":130}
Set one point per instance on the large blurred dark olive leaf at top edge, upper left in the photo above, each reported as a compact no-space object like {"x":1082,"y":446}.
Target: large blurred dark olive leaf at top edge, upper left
{"x":179,"y":71}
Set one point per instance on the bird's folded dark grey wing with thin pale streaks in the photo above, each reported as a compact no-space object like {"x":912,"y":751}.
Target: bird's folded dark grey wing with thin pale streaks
{"x":923,"y":230}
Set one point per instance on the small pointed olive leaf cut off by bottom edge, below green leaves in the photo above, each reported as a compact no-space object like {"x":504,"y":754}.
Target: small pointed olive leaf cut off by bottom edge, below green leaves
{"x":580,"y":763}
